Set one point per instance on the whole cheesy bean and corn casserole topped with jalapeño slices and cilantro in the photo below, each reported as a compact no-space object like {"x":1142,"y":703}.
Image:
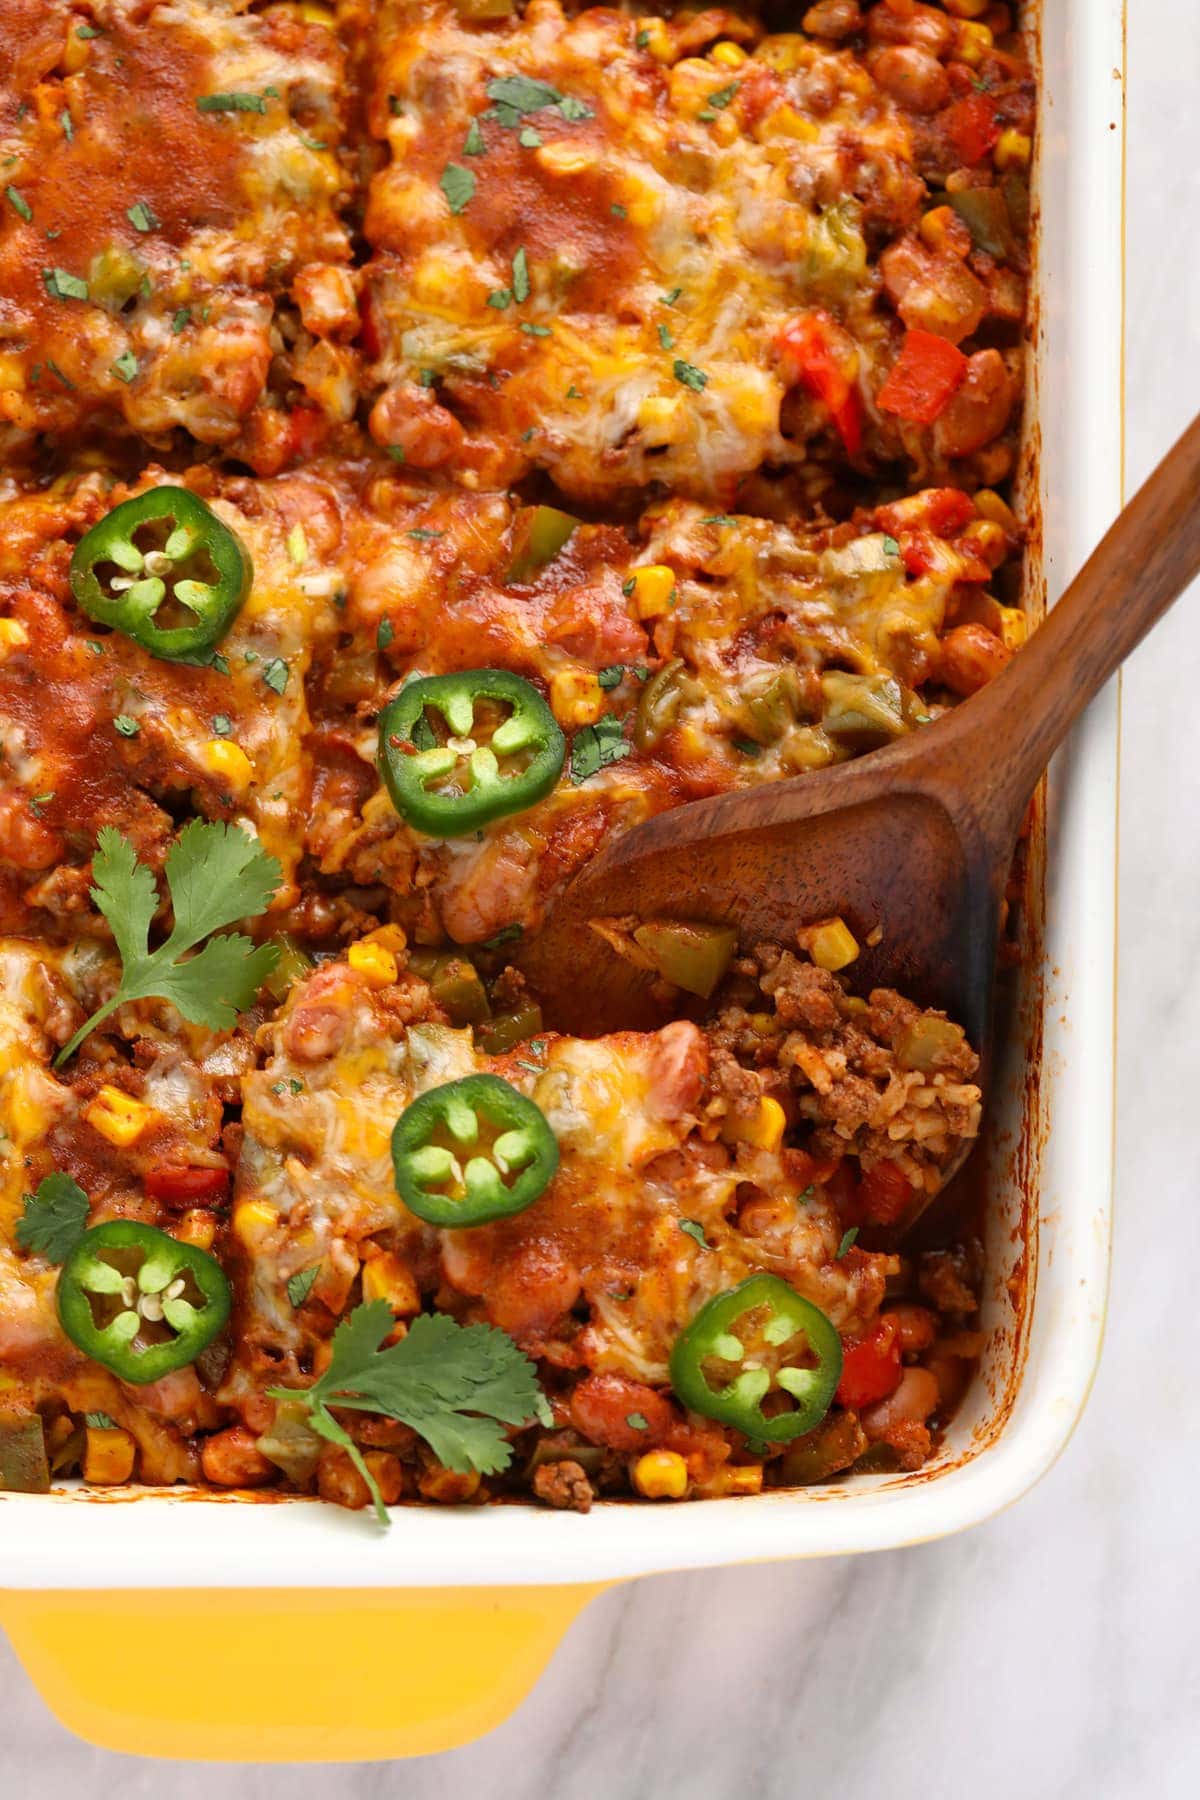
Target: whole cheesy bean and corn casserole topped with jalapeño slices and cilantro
{"x":433,"y":442}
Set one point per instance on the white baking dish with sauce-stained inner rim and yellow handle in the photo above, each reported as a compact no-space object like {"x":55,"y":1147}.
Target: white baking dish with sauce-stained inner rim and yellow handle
{"x":190,"y":1626}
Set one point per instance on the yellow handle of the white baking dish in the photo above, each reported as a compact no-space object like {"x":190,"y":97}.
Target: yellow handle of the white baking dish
{"x":282,"y":1677}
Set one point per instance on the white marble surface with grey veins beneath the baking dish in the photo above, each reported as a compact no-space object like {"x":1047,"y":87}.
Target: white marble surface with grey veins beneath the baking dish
{"x":1057,"y":1651}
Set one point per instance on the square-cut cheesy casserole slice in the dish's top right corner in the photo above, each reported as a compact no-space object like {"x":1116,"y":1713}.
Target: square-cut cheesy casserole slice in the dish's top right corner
{"x":634,"y":251}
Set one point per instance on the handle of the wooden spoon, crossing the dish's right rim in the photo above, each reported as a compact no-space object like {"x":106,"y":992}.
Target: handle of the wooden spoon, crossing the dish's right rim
{"x":1140,"y":568}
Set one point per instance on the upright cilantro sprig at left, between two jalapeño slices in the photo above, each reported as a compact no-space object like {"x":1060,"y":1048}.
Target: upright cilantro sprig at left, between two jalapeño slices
{"x":217,"y":876}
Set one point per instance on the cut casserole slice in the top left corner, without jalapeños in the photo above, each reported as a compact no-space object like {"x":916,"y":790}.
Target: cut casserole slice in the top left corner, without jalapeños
{"x":172,"y":174}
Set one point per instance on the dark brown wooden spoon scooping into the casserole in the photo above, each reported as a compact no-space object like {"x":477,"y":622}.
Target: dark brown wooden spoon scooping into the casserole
{"x":909,"y":845}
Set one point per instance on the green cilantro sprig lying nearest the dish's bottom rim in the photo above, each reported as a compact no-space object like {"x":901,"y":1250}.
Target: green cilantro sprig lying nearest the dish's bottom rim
{"x":454,"y":1385}
